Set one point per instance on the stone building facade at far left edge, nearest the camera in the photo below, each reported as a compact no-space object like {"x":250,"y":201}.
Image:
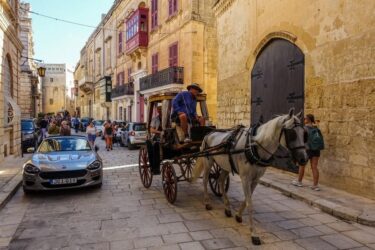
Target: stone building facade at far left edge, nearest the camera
{"x":10,"y":51}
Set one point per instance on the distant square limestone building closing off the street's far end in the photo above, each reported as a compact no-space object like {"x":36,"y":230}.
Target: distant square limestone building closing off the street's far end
{"x":54,"y":88}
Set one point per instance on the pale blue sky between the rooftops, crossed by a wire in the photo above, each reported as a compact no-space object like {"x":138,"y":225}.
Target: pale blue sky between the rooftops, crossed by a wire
{"x":58,"y":42}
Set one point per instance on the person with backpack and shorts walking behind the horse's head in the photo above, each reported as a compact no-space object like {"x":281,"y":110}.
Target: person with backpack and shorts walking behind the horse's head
{"x":315,"y":143}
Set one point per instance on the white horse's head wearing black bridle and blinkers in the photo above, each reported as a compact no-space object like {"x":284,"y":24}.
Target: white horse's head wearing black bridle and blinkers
{"x":294,"y":137}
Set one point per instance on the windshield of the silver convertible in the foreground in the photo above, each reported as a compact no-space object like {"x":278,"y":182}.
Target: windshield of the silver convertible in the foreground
{"x":64,"y":144}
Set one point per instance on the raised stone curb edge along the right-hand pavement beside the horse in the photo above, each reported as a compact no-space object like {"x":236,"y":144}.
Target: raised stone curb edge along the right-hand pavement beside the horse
{"x":337,"y":210}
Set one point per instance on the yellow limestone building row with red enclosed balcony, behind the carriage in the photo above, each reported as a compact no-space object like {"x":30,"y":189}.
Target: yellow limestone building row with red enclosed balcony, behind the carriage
{"x":144,"y":48}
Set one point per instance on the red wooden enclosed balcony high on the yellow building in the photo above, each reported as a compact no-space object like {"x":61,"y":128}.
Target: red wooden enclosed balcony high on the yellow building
{"x":136,"y":30}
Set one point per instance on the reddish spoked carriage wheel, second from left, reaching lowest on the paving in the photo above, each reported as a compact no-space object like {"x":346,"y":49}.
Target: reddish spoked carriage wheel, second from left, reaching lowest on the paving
{"x":169,"y":179}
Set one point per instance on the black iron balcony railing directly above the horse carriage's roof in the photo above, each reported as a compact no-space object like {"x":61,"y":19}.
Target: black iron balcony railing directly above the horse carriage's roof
{"x":171,"y":75}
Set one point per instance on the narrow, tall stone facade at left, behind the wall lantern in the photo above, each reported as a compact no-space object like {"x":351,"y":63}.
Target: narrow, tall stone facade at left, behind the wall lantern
{"x":30,"y":89}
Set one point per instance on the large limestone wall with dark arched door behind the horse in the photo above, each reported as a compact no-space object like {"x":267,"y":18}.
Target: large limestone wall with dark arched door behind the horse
{"x":317,"y":56}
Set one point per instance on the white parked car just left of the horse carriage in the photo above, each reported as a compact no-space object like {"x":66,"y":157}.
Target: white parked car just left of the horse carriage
{"x":134,"y":134}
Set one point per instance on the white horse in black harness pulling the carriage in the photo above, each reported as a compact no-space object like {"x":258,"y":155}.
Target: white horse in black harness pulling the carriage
{"x":285,"y":130}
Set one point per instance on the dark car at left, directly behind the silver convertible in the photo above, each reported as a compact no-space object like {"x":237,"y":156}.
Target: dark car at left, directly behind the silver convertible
{"x":31,"y":136}
